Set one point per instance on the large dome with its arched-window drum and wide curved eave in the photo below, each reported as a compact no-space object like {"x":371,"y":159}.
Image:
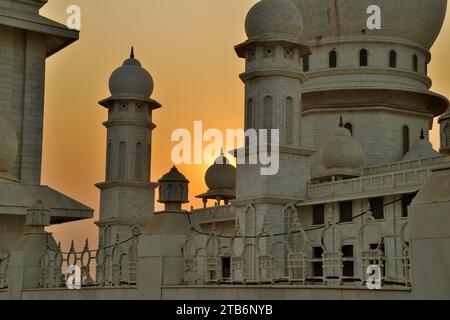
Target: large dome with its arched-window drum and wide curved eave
{"x":378,"y":79}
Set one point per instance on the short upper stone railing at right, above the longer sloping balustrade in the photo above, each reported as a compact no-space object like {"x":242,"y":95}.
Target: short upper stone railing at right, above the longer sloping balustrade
{"x":405,"y":165}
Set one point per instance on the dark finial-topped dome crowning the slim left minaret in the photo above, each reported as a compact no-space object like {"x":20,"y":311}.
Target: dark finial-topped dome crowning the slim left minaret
{"x":131,"y":80}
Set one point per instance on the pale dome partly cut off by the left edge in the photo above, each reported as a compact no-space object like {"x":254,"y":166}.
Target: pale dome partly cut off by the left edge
{"x":8,"y":145}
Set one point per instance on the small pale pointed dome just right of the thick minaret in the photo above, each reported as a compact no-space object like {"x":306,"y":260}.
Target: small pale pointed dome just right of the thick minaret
{"x":341,"y":150}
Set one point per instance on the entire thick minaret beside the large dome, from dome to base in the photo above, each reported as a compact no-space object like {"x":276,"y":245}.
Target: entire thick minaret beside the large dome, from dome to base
{"x":273,"y":79}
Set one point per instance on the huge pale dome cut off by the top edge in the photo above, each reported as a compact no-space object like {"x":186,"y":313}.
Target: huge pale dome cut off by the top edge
{"x":419,"y":21}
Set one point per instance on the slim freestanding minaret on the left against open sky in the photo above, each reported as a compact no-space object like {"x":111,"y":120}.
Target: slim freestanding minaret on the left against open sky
{"x":127,"y":195}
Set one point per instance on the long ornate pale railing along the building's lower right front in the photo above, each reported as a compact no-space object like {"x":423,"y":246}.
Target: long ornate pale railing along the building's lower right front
{"x":290,"y":258}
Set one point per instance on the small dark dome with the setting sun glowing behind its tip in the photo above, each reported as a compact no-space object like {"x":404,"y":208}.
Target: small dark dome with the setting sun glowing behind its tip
{"x":221,"y":175}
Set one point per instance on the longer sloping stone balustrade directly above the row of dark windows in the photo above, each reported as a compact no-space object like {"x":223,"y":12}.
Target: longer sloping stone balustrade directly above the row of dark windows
{"x":369,"y":183}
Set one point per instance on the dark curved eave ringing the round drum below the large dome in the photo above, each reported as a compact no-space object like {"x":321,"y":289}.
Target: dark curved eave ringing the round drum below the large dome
{"x":436,"y":104}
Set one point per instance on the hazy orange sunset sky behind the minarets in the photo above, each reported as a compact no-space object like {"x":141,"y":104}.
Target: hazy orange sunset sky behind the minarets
{"x":187,"y":46}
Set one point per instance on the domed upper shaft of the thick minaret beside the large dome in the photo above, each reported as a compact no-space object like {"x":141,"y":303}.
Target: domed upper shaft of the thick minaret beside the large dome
{"x":273,"y":73}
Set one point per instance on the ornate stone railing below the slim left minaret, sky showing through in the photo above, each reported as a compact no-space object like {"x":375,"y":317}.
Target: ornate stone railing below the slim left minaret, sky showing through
{"x":115,"y":265}
